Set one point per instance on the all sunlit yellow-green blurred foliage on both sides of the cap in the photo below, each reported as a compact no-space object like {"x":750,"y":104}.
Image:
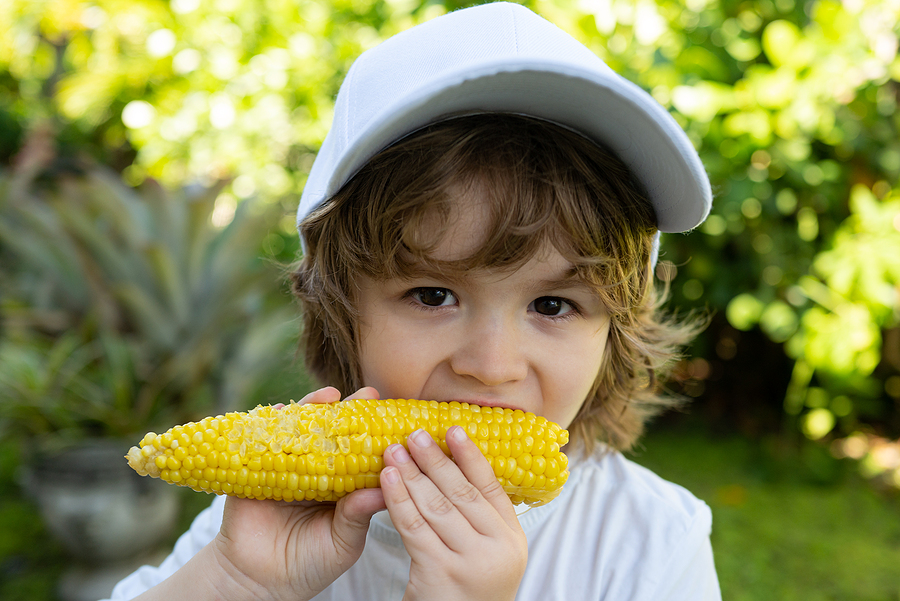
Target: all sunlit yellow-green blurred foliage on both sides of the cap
{"x":793,"y":106}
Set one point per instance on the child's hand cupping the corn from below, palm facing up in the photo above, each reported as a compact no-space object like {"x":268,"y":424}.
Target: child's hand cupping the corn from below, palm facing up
{"x":278,"y":550}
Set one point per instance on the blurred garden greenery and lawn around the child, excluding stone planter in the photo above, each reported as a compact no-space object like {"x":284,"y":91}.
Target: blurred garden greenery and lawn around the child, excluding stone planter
{"x":152,"y":153}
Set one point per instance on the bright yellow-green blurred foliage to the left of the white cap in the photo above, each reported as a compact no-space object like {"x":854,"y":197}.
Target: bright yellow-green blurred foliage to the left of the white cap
{"x":203,"y":89}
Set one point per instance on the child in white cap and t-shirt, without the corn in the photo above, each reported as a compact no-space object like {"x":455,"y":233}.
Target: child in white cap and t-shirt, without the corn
{"x":481,"y":225}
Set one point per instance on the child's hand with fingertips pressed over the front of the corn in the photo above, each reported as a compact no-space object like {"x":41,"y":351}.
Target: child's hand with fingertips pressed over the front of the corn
{"x":457,"y":523}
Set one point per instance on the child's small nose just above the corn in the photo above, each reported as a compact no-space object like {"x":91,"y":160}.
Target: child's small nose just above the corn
{"x":491,"y":353}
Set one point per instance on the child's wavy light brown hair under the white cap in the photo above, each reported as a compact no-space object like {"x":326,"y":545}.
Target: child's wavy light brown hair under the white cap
{"x":545,"y":185}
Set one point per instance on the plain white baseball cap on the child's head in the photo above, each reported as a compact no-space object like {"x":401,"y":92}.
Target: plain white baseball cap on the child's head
{"x":501,"y":57}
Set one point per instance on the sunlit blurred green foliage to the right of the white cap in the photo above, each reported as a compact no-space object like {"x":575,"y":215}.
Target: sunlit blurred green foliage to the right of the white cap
{"x":794,"y":110}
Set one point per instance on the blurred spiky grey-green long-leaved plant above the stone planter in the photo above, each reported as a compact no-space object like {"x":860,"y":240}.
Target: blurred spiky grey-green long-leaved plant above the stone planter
{"x":129,"y":309}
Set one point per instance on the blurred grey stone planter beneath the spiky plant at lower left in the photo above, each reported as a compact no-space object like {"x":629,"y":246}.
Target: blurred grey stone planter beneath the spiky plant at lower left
{"x":108,"y":518}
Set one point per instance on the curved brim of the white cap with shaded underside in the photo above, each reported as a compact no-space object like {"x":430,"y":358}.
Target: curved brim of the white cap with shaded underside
{"x":602,"y":106}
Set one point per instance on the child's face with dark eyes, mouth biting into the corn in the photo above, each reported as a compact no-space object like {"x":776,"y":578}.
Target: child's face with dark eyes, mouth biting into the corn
{"x":531,"y":338}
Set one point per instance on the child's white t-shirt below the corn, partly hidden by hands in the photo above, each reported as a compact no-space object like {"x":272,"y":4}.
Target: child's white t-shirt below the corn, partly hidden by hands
{"x":617,"y":532}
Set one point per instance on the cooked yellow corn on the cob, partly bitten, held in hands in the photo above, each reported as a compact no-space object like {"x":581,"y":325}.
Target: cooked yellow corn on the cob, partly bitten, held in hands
{"x":323,"y":451}
